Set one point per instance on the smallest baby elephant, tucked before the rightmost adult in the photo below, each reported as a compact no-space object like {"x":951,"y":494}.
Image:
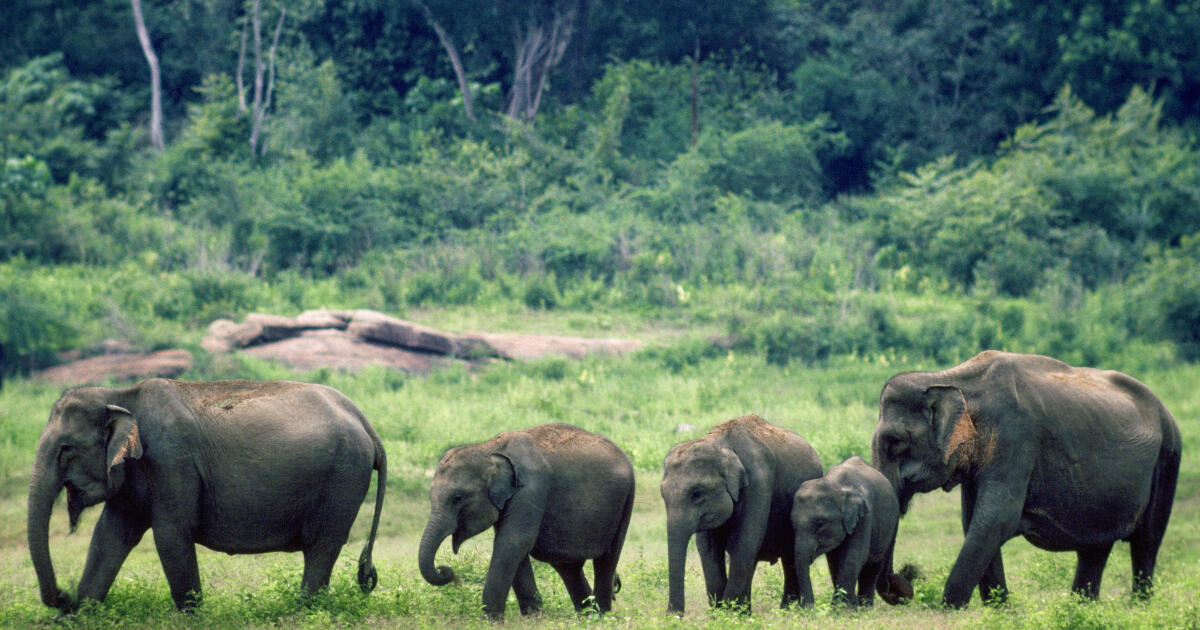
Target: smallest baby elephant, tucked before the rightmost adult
{"x":850,"y":515}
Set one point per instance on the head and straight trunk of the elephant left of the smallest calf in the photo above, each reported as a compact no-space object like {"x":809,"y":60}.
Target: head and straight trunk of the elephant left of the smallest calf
{"x":701,"y":484}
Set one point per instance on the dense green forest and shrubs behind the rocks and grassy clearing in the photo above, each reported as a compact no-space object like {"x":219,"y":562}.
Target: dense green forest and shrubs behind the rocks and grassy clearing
{"x":800,"y":178}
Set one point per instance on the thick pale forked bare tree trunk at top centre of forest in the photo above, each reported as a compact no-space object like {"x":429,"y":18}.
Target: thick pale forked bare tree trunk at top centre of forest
{"x":538,"y":51}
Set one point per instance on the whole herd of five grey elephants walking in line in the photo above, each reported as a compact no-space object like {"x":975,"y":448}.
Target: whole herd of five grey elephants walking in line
{"x":1073,"y":459}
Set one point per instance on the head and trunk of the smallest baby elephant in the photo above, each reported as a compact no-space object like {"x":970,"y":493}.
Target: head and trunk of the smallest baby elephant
{"x":824,"y":515}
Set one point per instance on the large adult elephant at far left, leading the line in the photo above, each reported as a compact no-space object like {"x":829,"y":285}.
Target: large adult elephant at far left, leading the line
{"x":241,"y":467}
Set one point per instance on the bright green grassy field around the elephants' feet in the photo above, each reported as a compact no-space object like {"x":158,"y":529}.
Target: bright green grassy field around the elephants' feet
{"x":645,"y":404}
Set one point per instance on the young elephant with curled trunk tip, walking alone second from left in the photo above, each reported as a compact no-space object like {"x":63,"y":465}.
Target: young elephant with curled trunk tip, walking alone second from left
{"x":554,"y":493}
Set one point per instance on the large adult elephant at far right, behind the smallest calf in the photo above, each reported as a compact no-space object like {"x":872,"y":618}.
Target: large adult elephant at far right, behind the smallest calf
{"x":1073,"y":459}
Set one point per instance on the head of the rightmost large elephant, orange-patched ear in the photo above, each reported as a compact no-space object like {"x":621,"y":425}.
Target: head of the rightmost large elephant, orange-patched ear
{"x":927,"y":437}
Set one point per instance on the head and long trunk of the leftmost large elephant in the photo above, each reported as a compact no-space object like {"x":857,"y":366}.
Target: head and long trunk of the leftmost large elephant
{"x":83,"y":448}
